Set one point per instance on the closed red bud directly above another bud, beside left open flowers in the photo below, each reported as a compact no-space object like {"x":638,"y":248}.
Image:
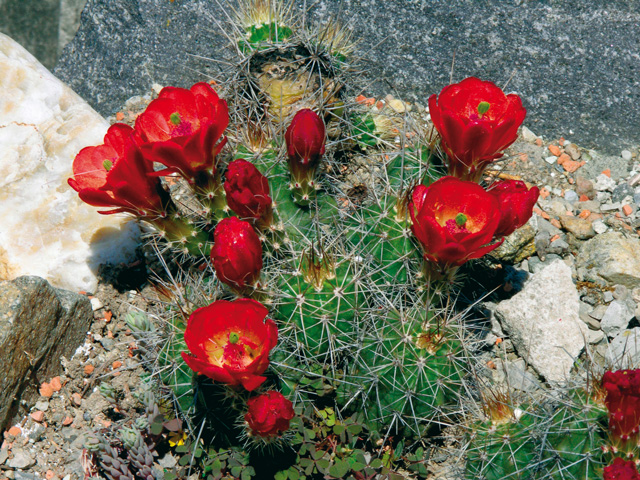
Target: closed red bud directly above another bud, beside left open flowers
{"x":248,"y":191}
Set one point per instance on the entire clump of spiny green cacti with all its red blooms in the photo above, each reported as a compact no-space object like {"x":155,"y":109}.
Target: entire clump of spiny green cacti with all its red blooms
{"x":313,"y":319}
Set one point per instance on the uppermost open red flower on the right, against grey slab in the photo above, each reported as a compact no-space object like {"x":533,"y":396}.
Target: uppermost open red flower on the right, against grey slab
{"x":476,"y":122}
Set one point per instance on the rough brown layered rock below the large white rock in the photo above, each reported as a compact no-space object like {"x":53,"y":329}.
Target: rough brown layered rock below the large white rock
{"x":38,"y":325}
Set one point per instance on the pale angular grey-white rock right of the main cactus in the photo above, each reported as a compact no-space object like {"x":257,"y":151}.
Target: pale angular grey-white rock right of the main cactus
{"x":543,"y":322}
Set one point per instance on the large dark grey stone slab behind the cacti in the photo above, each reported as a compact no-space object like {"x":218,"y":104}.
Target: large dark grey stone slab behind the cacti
{"x":571,"y":61}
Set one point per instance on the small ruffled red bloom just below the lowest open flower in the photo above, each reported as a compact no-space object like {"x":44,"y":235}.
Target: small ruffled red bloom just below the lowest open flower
{"x":269,"y":414}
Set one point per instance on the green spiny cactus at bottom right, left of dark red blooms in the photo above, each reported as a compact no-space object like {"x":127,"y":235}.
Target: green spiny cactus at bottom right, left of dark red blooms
{"x":541,"y":438}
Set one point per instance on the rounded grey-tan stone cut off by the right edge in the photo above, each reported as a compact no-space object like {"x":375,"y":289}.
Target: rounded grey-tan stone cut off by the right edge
{"x":610,"y":257}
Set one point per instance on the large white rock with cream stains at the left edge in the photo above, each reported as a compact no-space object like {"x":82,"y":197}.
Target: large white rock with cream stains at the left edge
{"x":46,"y":230}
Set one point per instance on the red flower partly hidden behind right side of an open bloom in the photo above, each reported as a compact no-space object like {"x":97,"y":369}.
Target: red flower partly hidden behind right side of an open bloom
{"x":516,"y":203}
